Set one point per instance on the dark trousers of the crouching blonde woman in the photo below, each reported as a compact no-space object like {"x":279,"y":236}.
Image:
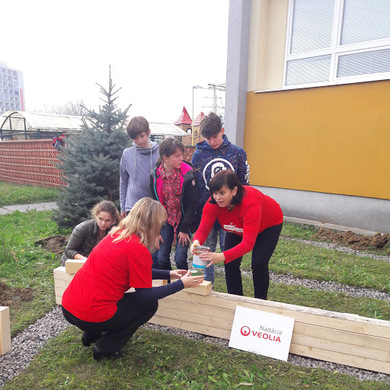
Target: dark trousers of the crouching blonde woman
{"x":114,"y":333}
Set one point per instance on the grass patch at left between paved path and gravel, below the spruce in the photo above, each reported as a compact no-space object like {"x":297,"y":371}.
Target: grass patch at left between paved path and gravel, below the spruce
{"x":23,"y":264}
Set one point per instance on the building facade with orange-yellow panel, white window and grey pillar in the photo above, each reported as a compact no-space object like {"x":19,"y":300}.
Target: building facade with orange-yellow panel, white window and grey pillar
{"x":307,"y":96}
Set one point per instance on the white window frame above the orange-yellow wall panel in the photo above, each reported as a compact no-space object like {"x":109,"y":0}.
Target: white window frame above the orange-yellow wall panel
{"x":335,"y":51}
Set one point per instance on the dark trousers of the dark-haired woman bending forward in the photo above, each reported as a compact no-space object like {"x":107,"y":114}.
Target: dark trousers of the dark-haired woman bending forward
{"x":261,"y":254}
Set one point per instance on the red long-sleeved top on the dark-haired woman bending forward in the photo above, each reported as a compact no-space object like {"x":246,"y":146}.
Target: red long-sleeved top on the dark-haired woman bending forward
{"x":254,"y":214}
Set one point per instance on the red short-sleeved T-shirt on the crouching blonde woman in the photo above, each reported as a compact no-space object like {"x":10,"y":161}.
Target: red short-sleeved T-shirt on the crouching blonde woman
{"x":110,"y":270}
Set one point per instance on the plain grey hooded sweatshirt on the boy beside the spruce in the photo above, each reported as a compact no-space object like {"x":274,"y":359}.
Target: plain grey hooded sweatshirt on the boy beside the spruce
{"x":135,"y":166}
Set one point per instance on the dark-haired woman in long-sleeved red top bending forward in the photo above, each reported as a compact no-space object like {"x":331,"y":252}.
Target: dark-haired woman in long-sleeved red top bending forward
{"x":253,"y":222}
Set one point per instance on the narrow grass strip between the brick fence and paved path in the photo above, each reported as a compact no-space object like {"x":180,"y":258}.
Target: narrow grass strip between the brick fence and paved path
{"x":11,"y":194}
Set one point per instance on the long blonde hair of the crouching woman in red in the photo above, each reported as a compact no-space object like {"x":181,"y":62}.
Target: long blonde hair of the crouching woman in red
{"x":145,"y":220}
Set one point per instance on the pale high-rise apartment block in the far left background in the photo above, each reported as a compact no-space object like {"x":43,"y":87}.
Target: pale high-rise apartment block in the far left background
{"x":11,"y":89}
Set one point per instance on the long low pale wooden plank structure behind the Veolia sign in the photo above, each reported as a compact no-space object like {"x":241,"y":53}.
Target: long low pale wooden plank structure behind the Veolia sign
{"x":320,"y":334}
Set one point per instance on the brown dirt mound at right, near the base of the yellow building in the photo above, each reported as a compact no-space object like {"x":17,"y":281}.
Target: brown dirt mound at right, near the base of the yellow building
{"x":355,"y":241}
